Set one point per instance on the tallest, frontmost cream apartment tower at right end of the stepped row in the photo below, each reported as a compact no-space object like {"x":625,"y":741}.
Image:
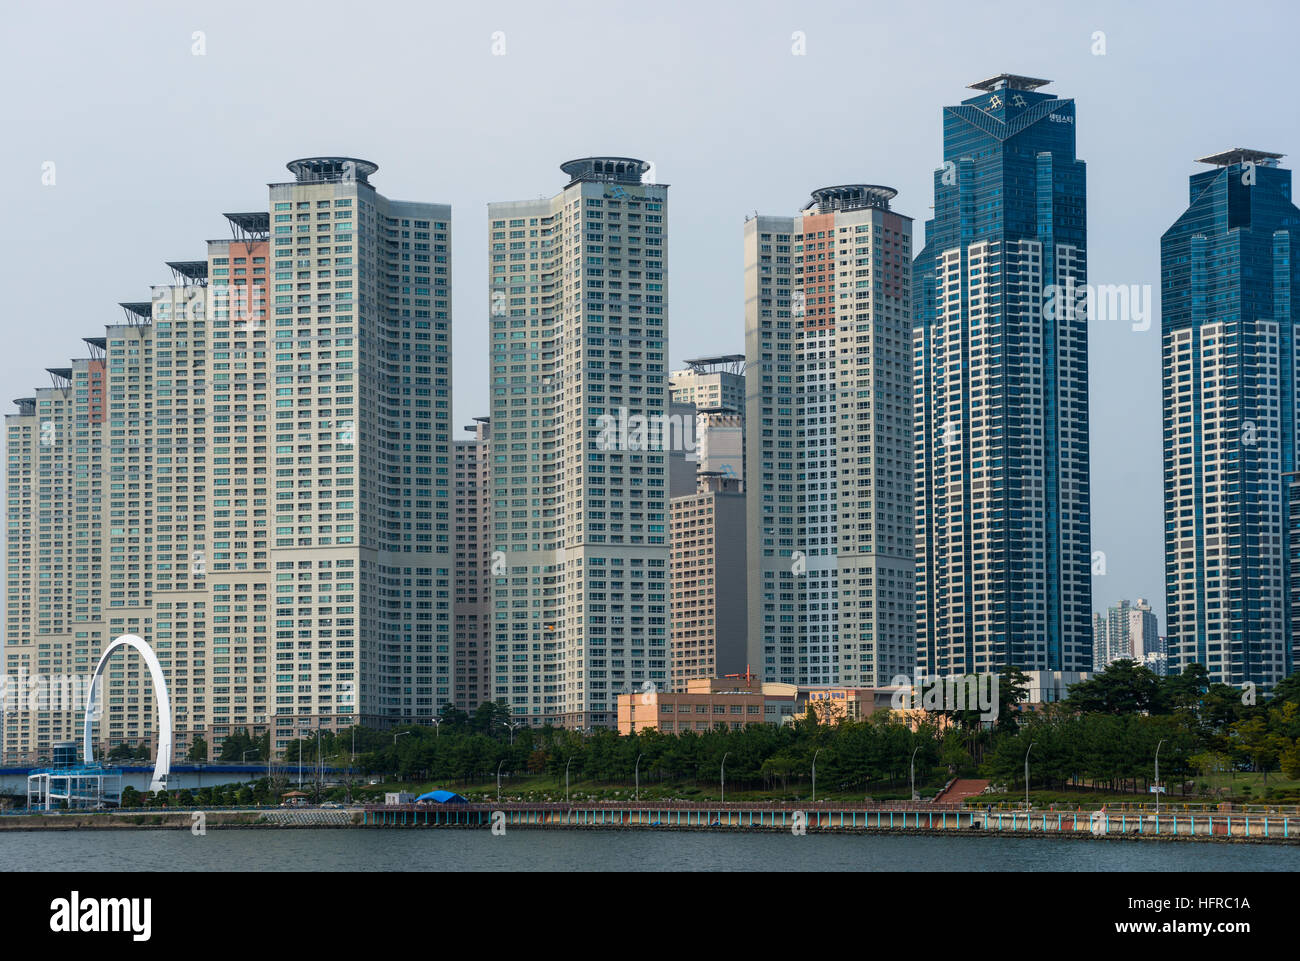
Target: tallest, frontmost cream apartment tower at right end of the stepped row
{"x":363,"y":451}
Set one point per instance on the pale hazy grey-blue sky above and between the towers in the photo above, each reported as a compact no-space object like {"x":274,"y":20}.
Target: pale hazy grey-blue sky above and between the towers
{"x":151,"y":142}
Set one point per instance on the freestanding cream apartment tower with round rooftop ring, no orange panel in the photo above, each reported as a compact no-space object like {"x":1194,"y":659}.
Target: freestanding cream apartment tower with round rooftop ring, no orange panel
{"x":579,"y":297}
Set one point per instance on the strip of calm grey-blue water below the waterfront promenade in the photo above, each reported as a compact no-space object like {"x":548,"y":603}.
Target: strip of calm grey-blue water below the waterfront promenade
{"x":608,"y":851}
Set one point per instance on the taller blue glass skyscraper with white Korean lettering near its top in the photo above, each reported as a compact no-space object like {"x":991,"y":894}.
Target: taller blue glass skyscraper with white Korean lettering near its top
{"x":1002,"y":358}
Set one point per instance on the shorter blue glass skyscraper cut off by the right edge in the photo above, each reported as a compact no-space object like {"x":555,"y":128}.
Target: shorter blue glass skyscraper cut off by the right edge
{"x":1230,"y":396}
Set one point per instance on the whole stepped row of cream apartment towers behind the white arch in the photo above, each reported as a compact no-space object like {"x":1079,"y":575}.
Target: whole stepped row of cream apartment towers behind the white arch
{"x":253,"y":473}
